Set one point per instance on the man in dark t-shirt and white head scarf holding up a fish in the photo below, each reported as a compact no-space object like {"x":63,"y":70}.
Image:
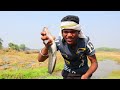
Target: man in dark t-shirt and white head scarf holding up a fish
{"x":76,"y":49}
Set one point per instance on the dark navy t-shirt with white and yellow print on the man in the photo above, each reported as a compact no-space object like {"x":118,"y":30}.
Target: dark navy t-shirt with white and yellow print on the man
{"x":75,"y":58}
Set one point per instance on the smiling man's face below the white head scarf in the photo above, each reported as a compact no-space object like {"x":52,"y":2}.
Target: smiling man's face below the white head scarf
{"x":70,"y":36}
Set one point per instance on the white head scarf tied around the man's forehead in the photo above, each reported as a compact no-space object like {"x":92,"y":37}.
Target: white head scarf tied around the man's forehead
{"x":71,"y":25}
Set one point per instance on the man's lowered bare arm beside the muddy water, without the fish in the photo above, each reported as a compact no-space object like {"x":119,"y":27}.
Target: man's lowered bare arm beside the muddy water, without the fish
{"x":93,"y":66}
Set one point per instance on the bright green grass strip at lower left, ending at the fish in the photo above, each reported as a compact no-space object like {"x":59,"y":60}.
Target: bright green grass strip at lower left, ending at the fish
{"x":23,"y":74}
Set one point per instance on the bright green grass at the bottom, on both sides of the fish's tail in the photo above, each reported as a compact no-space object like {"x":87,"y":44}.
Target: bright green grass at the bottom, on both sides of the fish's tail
{"x":30,"y":73}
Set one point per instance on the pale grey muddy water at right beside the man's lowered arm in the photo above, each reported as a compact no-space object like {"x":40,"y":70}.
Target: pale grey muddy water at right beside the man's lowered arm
{"x":105,"y":68}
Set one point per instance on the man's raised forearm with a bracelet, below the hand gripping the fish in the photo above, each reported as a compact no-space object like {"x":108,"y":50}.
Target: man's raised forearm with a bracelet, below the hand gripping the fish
{"x":43,"y":55}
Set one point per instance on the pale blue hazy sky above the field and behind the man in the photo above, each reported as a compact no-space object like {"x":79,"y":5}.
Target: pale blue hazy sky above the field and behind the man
{"x":24,"y":27}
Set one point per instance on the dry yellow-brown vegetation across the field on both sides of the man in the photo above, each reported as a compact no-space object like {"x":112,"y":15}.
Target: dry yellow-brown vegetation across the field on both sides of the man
{"x":14,"y":60}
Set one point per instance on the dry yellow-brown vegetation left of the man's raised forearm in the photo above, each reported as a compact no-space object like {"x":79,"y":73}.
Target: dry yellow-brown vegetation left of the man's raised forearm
{"x":16,"y":60}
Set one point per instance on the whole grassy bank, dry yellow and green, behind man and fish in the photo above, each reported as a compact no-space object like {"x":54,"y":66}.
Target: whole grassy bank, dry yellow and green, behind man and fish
{"x":21,"y":65}
